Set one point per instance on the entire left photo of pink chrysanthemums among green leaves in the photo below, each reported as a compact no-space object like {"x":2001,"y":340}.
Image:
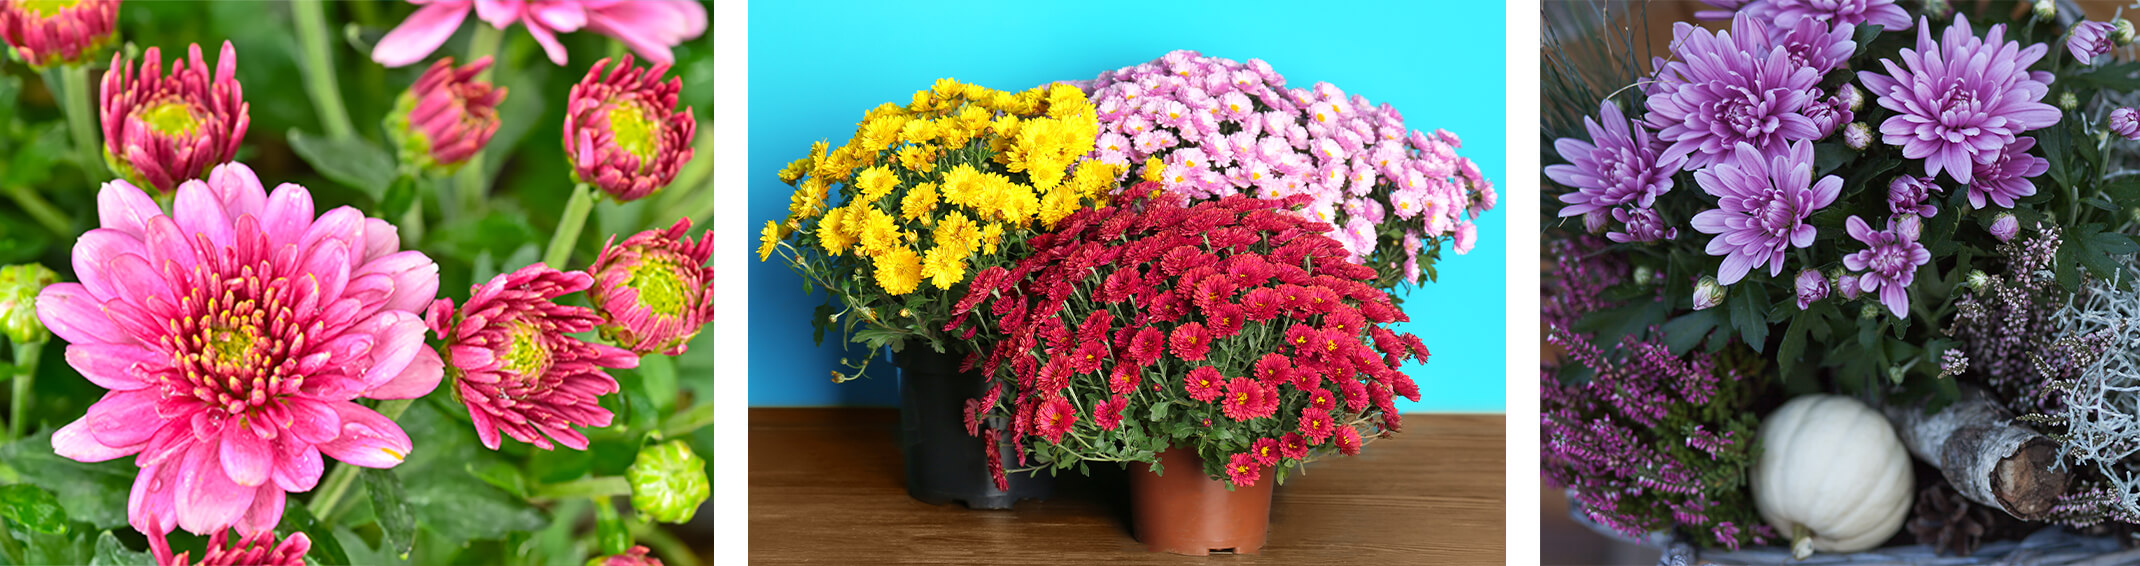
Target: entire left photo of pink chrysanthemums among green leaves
{"x":243,"y":329}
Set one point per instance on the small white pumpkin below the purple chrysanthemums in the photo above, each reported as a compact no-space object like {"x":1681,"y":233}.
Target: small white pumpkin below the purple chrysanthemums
{"x":1833,"y":475}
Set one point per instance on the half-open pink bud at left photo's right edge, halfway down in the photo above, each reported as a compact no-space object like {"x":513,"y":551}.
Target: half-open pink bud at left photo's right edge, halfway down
{"x":654,"y":291}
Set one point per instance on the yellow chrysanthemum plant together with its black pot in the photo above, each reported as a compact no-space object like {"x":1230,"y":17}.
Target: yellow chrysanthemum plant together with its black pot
{"x":898,"y":220}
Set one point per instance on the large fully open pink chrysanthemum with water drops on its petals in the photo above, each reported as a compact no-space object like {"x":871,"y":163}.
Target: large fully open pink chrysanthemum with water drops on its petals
{"x":236,"y":338}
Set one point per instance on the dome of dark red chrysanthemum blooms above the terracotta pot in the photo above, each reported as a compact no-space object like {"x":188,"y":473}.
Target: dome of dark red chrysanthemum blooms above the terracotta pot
{"x":1234,"y":329}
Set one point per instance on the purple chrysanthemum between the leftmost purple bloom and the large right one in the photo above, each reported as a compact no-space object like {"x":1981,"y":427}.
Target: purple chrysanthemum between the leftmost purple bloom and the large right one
{"x":1726,"y":89}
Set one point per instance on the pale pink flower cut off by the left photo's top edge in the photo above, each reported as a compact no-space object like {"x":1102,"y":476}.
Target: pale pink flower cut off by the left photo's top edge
{"x":647,"y":27}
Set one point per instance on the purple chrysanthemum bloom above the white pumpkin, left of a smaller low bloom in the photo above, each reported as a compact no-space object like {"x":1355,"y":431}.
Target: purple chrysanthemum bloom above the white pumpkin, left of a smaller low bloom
{"x":1762,"y":207}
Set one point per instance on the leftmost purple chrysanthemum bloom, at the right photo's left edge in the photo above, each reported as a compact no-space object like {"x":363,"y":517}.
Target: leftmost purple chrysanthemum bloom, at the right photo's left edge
{"x":1619,"y":166}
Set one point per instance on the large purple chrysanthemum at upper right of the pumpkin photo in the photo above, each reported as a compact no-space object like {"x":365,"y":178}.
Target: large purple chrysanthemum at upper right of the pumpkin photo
{"x":1961,"y":100}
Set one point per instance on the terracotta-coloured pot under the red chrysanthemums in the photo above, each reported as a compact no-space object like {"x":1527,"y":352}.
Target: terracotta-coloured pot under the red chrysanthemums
{"x":1195,"y":516}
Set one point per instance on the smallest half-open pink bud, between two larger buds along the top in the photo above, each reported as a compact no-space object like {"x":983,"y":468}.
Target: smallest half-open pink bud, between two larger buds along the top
{"x":446,"y":117}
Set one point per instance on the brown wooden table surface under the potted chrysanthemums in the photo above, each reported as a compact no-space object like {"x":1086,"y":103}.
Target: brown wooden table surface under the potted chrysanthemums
{"x":827,"y":486}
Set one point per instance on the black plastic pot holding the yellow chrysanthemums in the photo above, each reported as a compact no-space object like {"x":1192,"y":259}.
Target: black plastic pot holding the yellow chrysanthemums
{"x":945,"y":464}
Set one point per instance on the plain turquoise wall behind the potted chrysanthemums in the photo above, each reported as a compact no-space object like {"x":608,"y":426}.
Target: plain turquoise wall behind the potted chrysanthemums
{"x":819,"y":65}
